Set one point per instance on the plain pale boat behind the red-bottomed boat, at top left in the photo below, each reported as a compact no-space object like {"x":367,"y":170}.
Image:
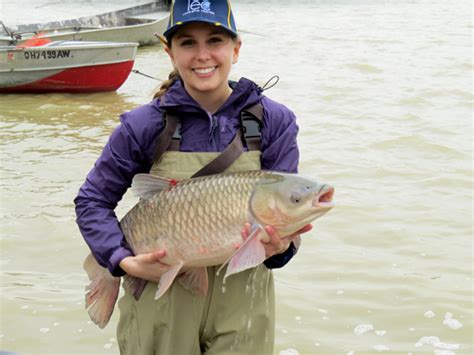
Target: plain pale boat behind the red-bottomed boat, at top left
{"x":134,"y":24}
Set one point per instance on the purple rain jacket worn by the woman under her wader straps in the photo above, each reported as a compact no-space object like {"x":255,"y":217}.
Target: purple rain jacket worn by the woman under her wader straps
{"x":130,"y":150}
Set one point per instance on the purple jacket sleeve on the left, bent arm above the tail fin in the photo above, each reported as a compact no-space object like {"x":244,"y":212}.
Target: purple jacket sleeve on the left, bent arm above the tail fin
{"x":105,"y":185}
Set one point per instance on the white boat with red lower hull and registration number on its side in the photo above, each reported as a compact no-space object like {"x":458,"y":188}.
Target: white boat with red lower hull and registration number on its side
{"x":66,"y":66}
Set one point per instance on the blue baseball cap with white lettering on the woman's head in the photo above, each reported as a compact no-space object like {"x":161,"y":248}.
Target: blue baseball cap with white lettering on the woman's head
{"x":216,"y":12}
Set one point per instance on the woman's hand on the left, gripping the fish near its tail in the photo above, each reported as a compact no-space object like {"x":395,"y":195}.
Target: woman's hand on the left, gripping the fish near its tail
{"x":145,"y":266}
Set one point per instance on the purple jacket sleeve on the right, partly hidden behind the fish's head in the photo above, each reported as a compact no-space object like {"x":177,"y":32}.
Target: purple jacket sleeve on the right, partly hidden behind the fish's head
{"x":279,"y":153}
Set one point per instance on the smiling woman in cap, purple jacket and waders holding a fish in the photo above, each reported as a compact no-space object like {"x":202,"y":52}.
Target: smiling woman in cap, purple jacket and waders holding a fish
{"x":235,"y":317}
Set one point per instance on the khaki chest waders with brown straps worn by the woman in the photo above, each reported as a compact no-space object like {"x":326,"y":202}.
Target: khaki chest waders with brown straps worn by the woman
{"x":237,"y":317}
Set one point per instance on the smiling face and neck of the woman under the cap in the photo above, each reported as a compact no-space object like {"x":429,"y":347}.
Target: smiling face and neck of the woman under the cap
{"x":203,"y":54}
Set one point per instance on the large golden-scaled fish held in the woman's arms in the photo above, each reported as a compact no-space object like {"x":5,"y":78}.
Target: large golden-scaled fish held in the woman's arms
{"x":199,"y":221}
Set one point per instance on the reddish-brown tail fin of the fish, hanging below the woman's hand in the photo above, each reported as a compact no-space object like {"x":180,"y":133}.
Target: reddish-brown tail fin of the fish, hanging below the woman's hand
{"x":101,"y":293}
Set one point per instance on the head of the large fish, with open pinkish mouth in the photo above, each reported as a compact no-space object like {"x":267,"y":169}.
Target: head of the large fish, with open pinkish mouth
{"x":288,"y":201}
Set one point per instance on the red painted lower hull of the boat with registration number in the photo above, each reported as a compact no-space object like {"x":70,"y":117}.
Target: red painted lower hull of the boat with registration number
{"x":94,"y":78}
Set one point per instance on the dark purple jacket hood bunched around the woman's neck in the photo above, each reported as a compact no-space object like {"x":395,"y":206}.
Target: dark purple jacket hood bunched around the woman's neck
{"x":176,"y":99}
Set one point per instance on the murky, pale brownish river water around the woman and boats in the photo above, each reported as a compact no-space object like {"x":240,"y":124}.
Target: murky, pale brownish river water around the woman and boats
{"x":383,"y":95}
